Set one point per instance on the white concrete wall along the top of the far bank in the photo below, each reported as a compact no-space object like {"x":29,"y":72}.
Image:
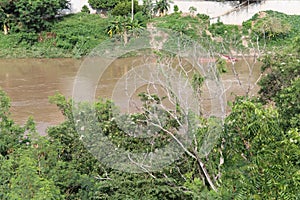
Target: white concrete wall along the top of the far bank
{"x":225,"y":11}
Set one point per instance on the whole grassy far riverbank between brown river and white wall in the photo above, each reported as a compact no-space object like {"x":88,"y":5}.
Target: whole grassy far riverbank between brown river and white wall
{"x":75,"y":35}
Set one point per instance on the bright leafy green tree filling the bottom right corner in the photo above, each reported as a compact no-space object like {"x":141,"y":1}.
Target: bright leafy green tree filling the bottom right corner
{"x":261,"y":159}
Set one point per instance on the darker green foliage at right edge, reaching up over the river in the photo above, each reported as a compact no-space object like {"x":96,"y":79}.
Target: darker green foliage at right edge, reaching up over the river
{"x":281,"y":84}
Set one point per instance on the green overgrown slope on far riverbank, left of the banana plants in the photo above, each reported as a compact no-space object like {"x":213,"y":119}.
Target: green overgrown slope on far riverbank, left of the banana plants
{"x":73,"y":36}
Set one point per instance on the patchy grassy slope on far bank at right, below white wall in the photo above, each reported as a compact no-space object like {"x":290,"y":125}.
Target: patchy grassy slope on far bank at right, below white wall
{"x":224,"y":38}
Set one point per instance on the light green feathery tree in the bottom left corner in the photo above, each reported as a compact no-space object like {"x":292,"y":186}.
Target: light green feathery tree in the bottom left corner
{"x":19,"y":163}
